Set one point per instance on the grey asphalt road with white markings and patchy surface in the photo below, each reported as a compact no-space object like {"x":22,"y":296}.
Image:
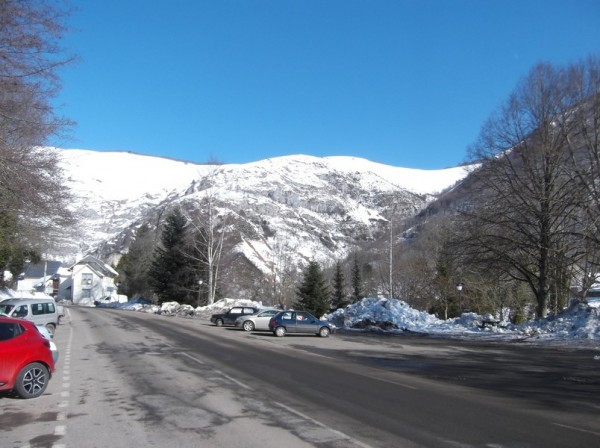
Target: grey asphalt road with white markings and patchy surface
{"x":127,"y":379}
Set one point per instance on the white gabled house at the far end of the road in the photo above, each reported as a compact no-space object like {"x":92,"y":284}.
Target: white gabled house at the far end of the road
{"x":91,"y":281}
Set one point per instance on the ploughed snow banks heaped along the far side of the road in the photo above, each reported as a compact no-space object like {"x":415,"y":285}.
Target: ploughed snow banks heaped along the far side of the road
{"x":578,"y":323}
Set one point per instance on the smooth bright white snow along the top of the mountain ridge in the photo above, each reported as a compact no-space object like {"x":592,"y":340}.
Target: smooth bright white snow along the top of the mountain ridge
{"x":129,"y":176}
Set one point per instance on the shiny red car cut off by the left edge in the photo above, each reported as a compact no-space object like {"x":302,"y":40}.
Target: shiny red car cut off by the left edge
{"x":26,"y":363}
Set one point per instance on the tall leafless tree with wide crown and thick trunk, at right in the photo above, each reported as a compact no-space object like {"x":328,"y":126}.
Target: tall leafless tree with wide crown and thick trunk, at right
{"x":521,"y":219}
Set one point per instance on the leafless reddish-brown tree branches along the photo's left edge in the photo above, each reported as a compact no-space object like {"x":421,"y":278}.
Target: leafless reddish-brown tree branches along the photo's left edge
{"x":32,"y":195}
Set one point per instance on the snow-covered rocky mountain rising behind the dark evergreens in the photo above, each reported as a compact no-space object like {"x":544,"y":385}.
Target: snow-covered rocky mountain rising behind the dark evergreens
{"x":306,"y":207}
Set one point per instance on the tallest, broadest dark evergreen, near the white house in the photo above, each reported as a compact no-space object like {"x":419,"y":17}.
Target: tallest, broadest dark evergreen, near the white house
{"x":169,"y":272}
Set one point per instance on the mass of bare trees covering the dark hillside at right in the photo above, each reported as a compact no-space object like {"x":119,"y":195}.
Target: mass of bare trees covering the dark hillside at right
{"x":522,"y":233}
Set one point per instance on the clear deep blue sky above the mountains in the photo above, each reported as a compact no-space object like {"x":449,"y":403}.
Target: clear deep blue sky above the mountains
{"x":408,"y":83}
